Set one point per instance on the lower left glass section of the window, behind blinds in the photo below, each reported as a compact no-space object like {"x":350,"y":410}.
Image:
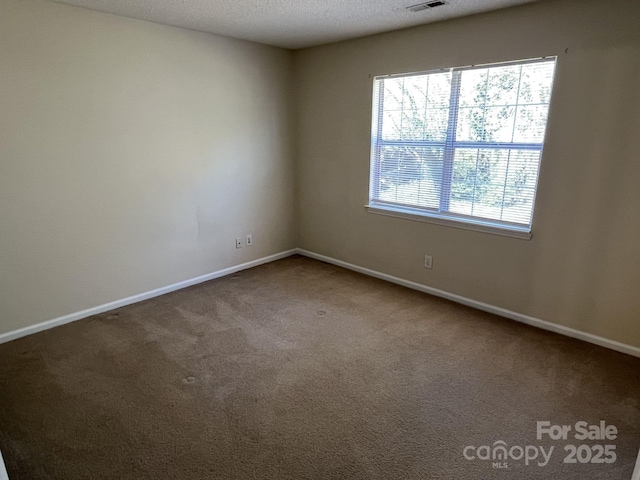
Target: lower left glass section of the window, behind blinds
{"x":410,"y":175}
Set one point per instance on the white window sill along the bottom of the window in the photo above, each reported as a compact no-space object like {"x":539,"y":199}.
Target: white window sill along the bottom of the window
{"x":450,"y":221}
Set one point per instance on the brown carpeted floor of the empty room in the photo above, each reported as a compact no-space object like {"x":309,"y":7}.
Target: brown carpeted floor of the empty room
{"x":302,"y":370}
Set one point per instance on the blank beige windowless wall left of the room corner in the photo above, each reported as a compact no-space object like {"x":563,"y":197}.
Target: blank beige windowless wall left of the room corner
{"x":131,"y":156}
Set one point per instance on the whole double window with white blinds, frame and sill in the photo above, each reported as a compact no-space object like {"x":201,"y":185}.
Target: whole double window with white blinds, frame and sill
{"x":461,"y":146}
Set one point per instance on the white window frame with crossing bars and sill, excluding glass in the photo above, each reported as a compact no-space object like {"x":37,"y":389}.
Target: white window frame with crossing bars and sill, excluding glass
{"x":442,"y":216}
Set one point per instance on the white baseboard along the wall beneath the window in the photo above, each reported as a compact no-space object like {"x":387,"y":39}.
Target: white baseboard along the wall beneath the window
{"x":536,"y":322}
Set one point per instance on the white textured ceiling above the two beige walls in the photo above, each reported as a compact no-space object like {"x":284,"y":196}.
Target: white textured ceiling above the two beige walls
{"x":290,"y":23}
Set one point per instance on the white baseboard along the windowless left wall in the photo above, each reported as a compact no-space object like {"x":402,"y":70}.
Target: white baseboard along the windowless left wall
{"x":72,"y":317}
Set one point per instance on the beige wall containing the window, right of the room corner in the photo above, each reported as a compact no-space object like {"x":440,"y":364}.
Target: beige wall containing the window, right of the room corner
{"x":582,"y":267}
